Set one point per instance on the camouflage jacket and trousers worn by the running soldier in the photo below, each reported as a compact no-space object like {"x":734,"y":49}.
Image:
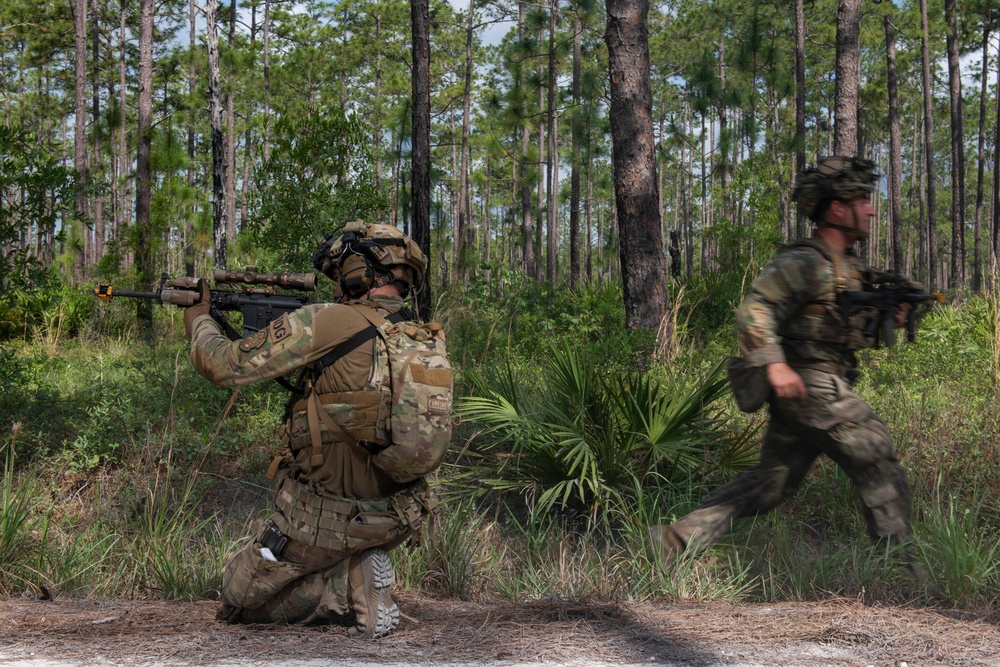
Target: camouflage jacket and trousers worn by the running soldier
{"x":791,"y":316}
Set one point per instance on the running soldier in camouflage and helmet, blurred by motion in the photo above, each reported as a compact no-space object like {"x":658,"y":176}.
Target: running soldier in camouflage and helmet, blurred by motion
{"x":790,"y":326}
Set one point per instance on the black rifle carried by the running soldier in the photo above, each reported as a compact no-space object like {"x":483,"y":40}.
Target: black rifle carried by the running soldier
{"x":885,"y":298}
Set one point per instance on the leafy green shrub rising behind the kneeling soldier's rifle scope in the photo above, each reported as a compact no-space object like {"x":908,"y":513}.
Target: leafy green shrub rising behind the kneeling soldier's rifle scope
{"x":318,"y":177}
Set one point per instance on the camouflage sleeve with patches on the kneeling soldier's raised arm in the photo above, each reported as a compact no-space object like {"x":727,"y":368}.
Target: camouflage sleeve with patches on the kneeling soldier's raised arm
{"x":288,"y":343}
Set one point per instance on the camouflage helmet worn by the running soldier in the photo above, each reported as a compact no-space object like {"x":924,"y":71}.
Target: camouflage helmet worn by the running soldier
{"x":833,"y":178}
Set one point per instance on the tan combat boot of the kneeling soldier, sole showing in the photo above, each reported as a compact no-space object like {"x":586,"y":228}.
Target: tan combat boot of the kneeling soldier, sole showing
{"x":375,"y":609}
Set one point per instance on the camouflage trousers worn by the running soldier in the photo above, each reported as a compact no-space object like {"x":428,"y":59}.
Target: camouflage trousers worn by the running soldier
{"x":833,"y":421}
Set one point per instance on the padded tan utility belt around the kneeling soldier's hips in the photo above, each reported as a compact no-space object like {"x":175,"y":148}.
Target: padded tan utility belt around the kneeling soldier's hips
{"x":347,"y":525}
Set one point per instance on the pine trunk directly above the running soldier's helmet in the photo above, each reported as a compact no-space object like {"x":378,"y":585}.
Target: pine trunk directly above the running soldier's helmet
{"x":848,"y":77}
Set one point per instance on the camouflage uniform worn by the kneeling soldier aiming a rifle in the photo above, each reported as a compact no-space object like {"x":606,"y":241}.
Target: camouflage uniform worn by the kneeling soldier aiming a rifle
{"x":332,"y":505}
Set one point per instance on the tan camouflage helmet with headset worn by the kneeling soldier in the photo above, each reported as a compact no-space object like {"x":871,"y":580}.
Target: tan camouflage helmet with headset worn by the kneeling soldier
{"x":370,"y":255}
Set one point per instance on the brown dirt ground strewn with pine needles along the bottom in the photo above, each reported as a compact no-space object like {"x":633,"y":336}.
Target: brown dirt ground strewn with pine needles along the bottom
{"x":438,"y":632}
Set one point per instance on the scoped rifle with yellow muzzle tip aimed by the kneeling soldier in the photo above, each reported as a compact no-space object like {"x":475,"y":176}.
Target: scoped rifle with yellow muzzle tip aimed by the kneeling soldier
{"x":249,"y":292}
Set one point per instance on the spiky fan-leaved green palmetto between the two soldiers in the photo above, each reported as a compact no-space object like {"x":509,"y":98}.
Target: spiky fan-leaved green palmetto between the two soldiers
{"x":582,"y":435}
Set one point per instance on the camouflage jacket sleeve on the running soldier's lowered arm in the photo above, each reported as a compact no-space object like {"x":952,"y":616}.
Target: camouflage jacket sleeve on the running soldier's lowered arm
{"x":793,"y":279}
